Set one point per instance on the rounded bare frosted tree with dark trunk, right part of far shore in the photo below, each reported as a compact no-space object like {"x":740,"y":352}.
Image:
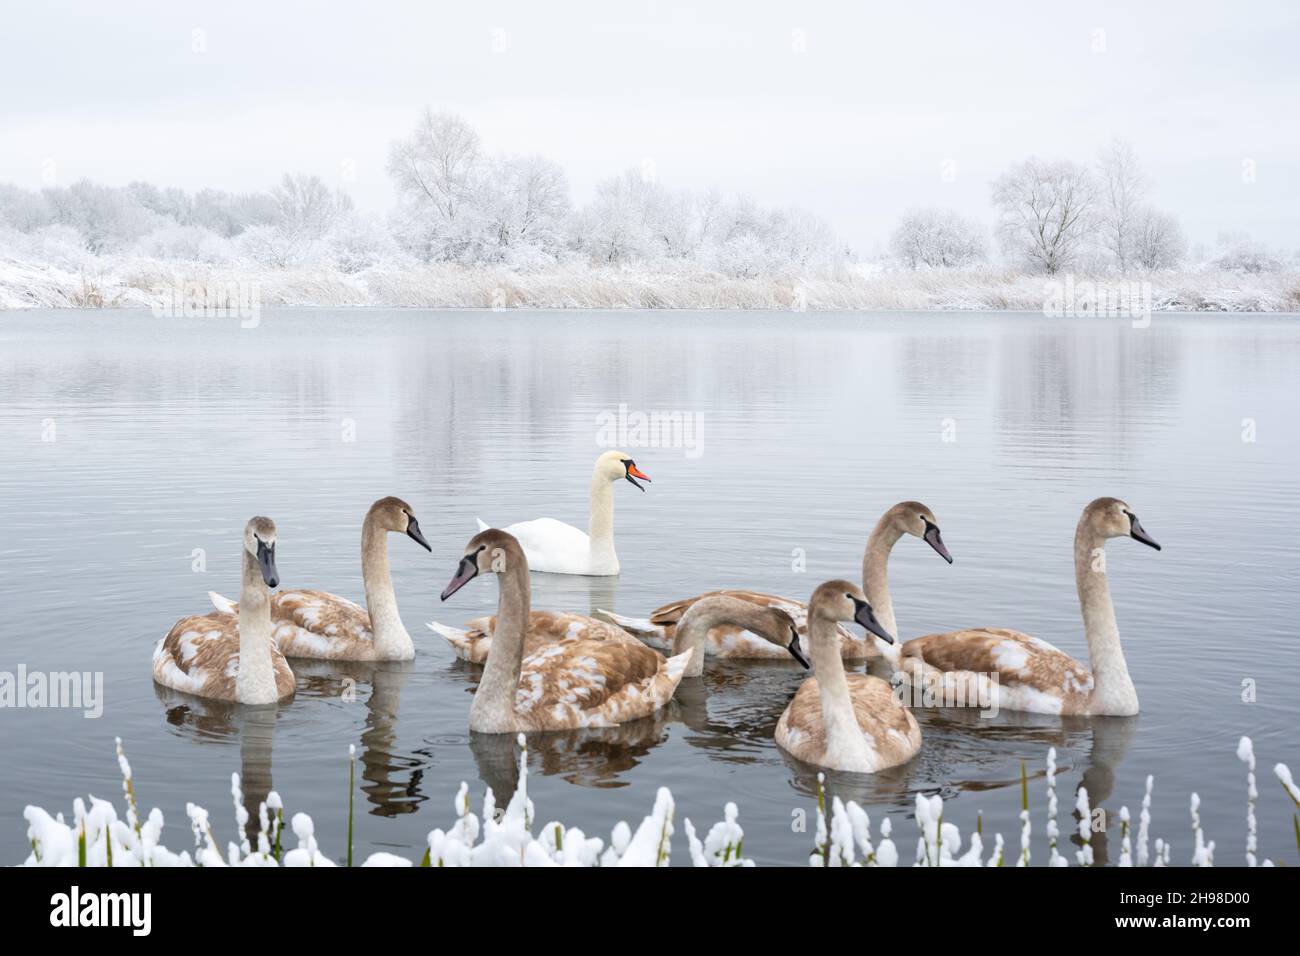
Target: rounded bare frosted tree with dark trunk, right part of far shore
{"x":1046,"y":213}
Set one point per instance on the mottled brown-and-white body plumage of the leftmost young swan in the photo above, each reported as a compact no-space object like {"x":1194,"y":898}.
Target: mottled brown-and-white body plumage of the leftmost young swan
{"x":201,"y":656}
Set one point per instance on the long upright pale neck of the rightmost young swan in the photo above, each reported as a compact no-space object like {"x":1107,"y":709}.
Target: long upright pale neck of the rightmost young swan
{"x":1113,"y":690}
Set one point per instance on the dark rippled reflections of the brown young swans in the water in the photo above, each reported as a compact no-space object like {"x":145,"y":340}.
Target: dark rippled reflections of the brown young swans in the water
{"x":730,"y":713}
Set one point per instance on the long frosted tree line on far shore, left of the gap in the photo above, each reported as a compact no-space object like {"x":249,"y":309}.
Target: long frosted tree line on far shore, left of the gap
{"x":457,"y":204}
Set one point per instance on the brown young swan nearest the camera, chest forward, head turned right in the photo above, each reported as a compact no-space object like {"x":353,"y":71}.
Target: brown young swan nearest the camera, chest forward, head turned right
{"x":846,"y":721}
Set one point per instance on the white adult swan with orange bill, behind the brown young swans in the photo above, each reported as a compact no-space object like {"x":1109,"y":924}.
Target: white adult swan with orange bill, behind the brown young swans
{"x":561,"y":548}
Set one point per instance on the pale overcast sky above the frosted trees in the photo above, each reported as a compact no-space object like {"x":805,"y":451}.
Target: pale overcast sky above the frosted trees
{"x":853,"y":110}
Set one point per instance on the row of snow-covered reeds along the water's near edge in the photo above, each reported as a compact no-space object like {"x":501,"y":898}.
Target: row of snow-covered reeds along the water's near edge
{"x":508,"y":838}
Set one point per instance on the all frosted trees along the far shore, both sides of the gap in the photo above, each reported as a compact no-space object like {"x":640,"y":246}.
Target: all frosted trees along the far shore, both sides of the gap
{"x":461,"y":205}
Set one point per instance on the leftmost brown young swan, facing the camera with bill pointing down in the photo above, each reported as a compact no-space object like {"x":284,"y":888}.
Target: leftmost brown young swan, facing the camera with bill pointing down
{"x":224,"y":656}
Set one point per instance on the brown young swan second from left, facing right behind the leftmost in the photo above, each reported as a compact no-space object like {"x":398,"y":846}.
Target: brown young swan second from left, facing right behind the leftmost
{"x":328,"y":628}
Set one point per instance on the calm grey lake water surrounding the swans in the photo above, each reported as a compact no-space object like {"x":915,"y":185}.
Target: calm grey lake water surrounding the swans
{"x":172,"y":434}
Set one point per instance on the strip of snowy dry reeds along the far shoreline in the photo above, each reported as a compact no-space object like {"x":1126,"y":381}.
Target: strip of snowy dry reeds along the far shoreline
{"x":153,"y":284}
